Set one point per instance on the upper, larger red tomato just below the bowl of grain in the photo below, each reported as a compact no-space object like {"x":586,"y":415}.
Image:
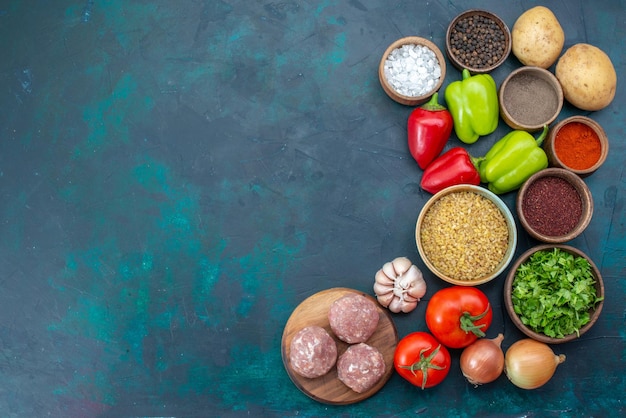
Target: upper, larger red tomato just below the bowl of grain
{"x":458,"y":315}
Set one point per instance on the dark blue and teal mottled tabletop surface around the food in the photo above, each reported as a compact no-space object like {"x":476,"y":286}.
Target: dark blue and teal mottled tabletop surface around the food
{"x":176,"y":177}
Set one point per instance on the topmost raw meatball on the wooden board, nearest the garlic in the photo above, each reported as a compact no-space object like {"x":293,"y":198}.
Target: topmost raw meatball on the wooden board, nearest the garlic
{"x":353,"y":318}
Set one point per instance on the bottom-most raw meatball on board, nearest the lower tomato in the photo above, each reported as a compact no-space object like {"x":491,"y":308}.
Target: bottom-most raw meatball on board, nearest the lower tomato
{"x":360,"y":367}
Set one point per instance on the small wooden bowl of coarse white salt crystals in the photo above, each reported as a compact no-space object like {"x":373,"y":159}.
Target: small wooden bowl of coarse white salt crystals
{"x":411,"y":70}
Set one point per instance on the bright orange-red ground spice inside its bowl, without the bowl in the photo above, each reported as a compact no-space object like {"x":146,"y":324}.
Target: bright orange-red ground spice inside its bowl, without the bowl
{"x":577,"y":145}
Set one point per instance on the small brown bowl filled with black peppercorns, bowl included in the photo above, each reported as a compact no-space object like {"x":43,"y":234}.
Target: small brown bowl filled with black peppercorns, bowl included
{"x":478,"y":40}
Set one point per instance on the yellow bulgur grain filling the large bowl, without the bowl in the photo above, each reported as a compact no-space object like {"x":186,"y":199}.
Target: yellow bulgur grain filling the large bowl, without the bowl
{"x":464,"y":235}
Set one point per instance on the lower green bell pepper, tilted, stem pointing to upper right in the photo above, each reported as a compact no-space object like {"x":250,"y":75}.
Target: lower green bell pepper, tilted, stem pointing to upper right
{"x":512,"y":160}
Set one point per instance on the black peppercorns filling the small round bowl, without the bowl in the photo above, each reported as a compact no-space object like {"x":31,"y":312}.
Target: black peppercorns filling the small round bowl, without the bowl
{"x":477,"y":41}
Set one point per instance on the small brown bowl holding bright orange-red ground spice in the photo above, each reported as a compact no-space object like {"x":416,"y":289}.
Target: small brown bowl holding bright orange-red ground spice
{"x":578,"y":144}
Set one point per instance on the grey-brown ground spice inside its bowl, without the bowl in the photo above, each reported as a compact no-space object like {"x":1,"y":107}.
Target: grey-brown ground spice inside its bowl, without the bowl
{"x":530,"y":100}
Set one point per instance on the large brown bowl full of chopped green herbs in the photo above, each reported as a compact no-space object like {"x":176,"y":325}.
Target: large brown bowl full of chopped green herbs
{"x":554,"y":293}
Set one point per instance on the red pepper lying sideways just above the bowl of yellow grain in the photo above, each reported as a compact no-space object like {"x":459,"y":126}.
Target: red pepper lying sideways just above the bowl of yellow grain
{"x":453,"y":167}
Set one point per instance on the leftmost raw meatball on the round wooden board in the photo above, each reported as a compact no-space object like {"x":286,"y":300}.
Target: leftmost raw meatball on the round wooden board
{"x":313,"y":352}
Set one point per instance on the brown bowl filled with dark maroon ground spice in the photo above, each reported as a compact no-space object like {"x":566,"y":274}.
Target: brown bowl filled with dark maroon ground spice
{"x":554,"y":205}
